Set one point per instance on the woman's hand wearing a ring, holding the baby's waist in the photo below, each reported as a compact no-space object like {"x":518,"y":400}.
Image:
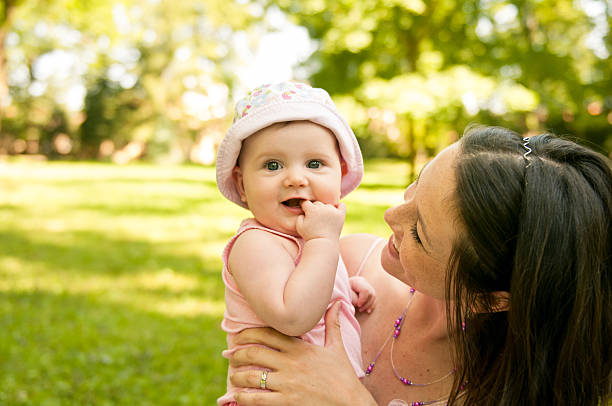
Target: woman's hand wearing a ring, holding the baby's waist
{"x":300,"y":373}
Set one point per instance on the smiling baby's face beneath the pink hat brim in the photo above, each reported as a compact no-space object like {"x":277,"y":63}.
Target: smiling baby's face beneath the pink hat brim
{"x":284,"y":164}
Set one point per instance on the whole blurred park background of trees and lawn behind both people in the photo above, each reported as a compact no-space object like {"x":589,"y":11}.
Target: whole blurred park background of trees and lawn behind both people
{"x":111,"y":225}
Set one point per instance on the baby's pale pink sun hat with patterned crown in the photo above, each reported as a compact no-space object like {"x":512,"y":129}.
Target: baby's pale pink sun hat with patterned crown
{"x":285,"y":101}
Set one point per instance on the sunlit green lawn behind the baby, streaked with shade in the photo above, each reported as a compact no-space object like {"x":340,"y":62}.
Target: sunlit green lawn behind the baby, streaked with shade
{"x":110,"y":288}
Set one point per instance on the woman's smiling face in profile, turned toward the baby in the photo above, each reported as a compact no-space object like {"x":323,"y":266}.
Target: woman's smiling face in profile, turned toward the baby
{"x":424,"y":227}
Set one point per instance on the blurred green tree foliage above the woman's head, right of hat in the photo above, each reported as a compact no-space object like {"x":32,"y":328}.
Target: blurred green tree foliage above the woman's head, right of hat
{"x":439,"y":65}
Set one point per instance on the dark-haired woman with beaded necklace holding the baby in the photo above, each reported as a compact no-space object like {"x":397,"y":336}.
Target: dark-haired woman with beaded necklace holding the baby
{"x":507,"y":243}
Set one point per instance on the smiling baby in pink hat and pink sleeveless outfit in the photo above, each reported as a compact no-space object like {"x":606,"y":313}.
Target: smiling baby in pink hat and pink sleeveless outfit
{"x":289,"y":157}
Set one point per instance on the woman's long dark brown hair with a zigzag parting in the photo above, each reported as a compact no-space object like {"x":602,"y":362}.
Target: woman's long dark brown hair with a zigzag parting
{"x":540,"y":228}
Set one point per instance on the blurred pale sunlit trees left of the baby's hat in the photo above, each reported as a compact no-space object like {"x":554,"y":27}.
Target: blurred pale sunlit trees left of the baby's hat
{"x":156,"y":73}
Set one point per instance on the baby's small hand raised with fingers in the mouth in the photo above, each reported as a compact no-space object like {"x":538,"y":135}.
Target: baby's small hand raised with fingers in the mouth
{"x":320,"y":220}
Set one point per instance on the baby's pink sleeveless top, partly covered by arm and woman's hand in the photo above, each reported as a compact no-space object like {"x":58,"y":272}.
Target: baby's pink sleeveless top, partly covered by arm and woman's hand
{"x":239,"y":315}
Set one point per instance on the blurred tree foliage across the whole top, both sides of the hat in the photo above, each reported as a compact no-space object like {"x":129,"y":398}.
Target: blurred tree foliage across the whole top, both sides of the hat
{"x":411,"y":74}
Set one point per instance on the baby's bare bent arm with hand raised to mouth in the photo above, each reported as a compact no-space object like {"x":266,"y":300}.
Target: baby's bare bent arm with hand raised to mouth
{"x":290,"y":298}
